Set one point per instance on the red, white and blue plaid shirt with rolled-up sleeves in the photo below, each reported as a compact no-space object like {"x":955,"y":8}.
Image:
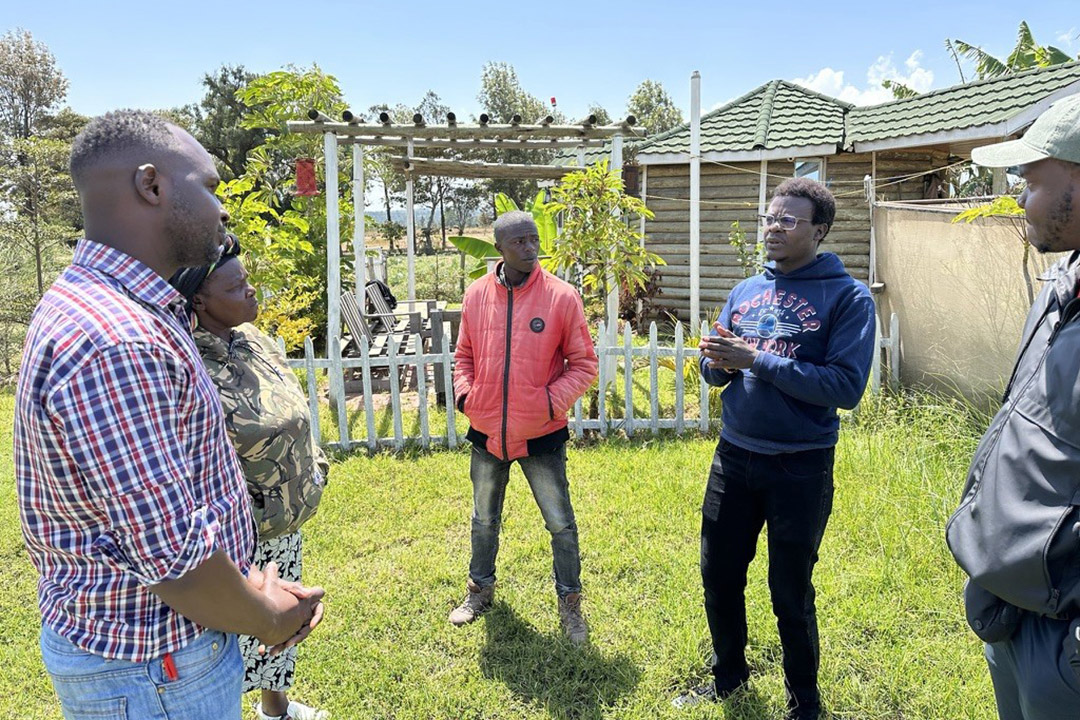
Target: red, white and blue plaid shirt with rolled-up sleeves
{"x":126,"y":474}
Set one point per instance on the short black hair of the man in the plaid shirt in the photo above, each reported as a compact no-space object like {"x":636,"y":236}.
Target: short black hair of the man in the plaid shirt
{"x":118,"y":132}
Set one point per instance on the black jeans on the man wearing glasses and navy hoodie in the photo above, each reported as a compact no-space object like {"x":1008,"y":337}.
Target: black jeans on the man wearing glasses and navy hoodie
{"x":792,"y":495}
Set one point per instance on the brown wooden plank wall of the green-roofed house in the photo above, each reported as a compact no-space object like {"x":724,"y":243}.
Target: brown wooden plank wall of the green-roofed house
{"x":730,"y":194}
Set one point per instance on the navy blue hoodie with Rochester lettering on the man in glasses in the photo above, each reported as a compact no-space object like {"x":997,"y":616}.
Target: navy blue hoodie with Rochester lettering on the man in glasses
{"x":815,"y":333}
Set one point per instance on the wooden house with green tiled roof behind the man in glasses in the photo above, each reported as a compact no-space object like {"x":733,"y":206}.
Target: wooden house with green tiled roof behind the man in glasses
{"x":781,"y":130}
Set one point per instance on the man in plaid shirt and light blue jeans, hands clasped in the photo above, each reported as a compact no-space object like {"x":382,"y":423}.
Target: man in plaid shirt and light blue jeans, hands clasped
{"x":133,"y":505}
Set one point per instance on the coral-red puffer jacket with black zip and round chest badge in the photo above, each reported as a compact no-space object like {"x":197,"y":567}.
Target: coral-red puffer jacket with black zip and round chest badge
{"x":524,"y":358}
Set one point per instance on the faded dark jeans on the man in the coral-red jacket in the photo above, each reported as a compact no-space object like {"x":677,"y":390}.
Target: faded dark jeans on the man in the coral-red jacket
{"x":547,"y":477}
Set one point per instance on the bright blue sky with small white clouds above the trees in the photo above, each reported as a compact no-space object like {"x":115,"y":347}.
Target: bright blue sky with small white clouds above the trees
{"x":153,"y":56}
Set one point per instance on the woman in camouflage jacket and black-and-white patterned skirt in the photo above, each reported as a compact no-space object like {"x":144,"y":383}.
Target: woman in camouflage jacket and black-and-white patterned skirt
{"x":269,"y":424}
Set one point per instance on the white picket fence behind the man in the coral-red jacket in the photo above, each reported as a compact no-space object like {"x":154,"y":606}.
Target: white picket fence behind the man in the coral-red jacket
{"x":623,"y":354}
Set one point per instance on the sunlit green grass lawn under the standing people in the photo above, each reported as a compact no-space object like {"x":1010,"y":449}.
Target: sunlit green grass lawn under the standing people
{"x":391,"y":544}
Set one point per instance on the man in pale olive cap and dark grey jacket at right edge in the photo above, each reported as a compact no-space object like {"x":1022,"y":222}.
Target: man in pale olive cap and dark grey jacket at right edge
{"x":1017,"y":533}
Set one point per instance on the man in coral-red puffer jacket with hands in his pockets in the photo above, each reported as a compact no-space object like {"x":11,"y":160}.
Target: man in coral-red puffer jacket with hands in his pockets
{"x":524,"y":358}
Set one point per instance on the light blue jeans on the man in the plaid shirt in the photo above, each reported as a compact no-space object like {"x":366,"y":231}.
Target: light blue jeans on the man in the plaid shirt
{"x":92,"y":688}
